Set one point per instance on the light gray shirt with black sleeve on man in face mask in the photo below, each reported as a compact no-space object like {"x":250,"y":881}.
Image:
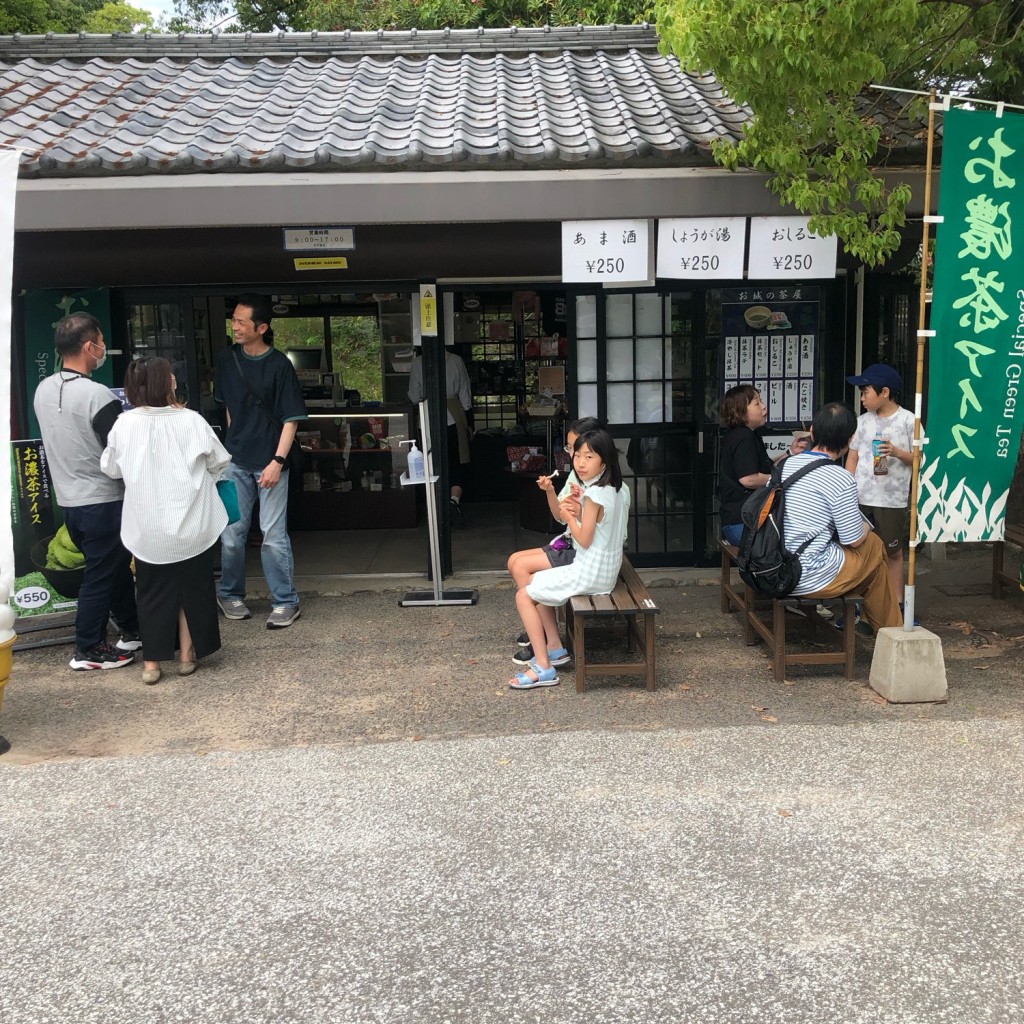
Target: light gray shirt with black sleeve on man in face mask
{"x":75,"y":416}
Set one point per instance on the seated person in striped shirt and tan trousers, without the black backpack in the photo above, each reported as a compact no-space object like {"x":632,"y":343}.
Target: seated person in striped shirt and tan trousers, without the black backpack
{"x":844,"y":553}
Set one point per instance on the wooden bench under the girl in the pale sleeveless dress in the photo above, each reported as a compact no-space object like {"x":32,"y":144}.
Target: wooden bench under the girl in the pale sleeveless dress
{"x":629,"y":602}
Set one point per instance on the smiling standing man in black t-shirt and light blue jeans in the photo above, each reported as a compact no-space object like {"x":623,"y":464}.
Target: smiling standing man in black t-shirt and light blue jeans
{"x":265,"y":405}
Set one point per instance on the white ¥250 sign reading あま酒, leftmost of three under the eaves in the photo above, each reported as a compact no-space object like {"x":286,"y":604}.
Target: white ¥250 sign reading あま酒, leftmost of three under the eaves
{"x":608,"y":252}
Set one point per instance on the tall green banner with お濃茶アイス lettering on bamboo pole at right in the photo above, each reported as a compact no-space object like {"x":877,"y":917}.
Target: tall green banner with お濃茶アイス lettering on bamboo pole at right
{"x":976,"y":379}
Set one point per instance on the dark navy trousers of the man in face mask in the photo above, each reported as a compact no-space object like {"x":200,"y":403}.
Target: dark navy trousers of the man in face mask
{"x":108,"y":588}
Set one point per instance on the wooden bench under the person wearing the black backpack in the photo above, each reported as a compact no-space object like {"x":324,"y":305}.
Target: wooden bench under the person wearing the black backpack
{"x":766,"y":620}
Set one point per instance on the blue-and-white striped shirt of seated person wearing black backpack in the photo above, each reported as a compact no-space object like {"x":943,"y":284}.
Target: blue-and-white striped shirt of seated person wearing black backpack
{"x":822,"y":506}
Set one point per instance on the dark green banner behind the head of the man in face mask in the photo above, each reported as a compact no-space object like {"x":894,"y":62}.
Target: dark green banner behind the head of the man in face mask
{"x":42,"y":311}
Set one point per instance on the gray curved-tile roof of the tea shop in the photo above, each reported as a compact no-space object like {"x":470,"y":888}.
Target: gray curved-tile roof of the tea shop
{"x":87,"y":106}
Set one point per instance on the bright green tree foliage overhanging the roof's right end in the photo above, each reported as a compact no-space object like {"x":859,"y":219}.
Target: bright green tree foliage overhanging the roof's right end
{"x":803,"y":67}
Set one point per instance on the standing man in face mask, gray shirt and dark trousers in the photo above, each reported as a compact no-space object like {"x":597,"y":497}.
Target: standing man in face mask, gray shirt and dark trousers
{"x":75,"y":416}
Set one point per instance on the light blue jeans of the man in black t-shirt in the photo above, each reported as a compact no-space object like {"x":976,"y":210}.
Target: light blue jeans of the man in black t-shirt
{"x":279,"y":568}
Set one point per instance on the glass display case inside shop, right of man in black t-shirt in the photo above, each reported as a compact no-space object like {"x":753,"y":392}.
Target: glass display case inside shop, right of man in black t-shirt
{"x":353,"y":468}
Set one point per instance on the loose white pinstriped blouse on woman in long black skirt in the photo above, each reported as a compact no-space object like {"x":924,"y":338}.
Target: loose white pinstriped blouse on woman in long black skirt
{"x":170,"y":461}
